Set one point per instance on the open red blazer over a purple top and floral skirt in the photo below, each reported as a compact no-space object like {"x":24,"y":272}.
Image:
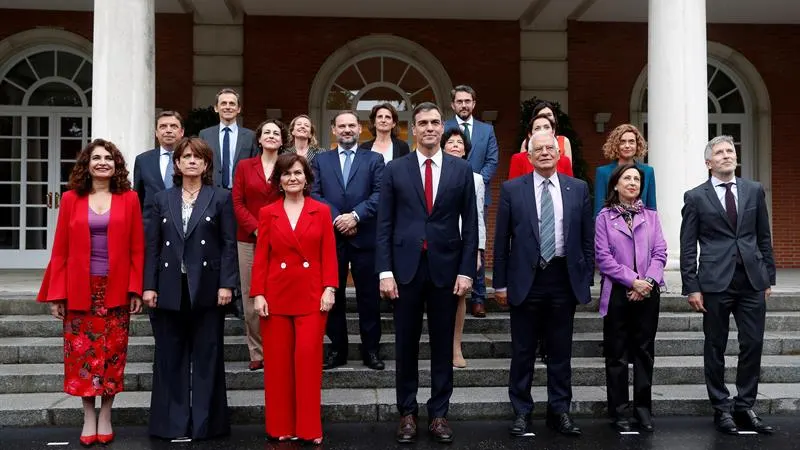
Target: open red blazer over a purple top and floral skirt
{"x":67,"y":276}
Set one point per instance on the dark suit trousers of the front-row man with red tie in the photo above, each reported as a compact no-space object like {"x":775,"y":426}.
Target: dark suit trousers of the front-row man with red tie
{"x":416,"y":298}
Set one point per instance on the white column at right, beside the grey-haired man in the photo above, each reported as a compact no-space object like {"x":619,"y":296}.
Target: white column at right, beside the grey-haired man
{"x":677,"y":113}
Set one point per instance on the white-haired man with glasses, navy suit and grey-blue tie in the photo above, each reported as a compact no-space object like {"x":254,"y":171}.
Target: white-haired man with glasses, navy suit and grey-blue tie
{"x":543,"y":266}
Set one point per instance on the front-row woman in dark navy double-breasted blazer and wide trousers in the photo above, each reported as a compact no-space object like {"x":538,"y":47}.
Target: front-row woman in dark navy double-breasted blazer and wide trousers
{"x":190,"y":273}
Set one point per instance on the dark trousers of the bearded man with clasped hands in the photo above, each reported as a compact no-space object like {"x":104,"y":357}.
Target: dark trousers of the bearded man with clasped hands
{"x":361,"y":263}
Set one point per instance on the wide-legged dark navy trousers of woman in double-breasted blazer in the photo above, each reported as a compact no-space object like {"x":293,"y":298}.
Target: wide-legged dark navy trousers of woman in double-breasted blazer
{"x":188,"y":397}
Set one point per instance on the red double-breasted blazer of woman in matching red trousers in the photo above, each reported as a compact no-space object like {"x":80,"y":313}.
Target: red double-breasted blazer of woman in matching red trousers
{"x":292,"y":267}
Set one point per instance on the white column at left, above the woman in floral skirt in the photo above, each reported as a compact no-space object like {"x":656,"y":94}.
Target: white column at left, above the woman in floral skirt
{"x":123,"y":75}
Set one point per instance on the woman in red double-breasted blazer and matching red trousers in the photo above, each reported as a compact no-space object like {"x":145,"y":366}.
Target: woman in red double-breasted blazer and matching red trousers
{"x":295,"y":277}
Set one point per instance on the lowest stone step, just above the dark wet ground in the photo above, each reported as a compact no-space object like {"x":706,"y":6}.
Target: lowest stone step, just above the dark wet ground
{"x":378,"y":405}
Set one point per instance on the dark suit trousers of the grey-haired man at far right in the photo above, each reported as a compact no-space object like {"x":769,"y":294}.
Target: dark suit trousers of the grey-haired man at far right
{"x":749,"y":309}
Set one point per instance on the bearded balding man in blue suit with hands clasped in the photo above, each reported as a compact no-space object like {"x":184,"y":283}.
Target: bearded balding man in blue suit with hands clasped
{"x":349,"y":181}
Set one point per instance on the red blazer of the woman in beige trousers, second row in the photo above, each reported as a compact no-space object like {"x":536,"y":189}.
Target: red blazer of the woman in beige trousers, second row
{"x":251,"y":192}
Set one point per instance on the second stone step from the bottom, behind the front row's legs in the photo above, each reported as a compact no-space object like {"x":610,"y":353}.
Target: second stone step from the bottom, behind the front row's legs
{"x":27,"y":378}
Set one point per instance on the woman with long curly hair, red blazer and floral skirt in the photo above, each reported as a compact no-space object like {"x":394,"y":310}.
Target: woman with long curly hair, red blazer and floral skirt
{"x":94,"y":280}
